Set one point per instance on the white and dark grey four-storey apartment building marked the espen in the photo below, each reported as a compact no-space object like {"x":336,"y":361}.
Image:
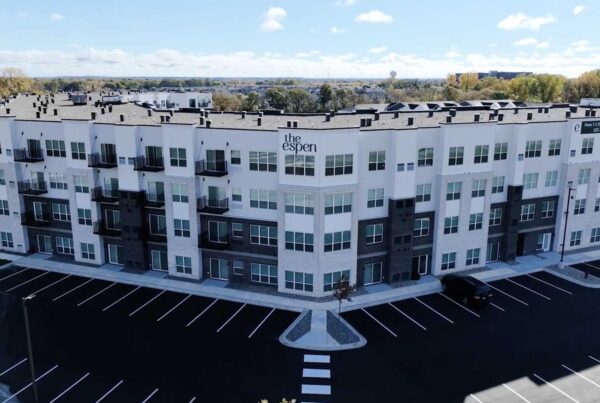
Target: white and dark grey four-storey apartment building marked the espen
{"x":296,"y":202}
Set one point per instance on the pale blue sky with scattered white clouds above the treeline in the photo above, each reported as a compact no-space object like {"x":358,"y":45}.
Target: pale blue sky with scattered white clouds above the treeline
{"x":307,"y":38}
